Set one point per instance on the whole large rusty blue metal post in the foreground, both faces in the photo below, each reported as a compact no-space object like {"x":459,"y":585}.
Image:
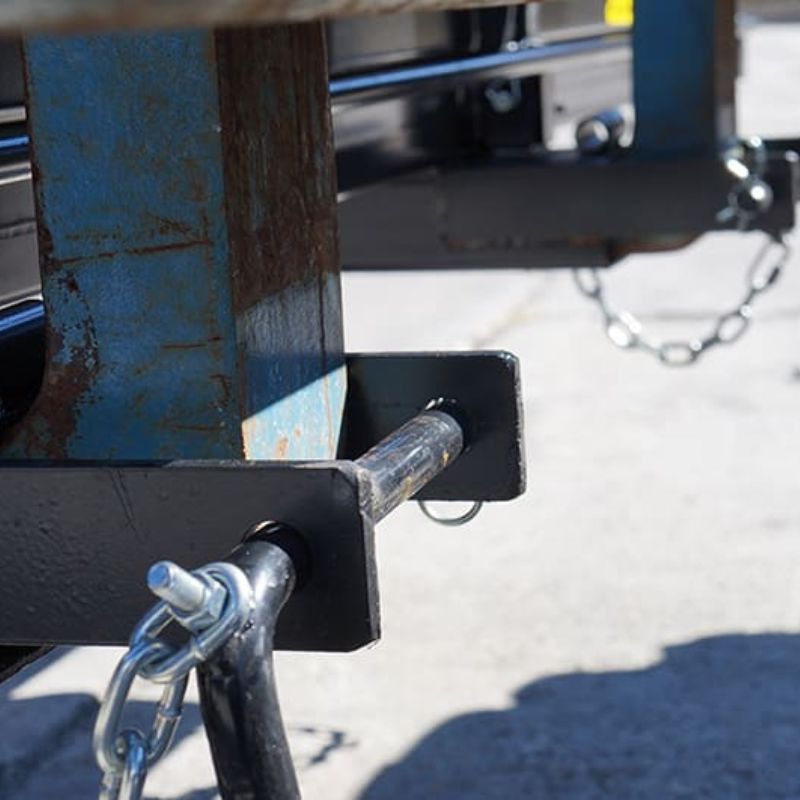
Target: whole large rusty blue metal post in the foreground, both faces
{"x":186,"y":207}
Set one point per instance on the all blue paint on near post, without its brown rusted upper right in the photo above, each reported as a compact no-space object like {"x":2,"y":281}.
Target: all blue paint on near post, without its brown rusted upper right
{"x":131,"y":190}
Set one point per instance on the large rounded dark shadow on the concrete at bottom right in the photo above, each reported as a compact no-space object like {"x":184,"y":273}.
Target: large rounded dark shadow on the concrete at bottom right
{"x":718,"y":718}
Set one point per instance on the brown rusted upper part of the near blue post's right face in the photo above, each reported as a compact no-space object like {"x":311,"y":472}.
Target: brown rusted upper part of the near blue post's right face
{"x":279,"y":157}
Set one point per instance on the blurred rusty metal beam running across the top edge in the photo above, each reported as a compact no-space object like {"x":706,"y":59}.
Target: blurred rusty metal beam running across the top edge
{"x":92,"y":15}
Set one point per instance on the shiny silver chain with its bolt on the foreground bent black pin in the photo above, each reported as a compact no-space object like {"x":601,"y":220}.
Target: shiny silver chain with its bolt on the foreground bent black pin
{"x":213,"y":603}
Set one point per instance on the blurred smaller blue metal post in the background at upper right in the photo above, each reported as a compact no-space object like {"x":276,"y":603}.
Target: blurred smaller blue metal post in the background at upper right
{"x":684,"y":64}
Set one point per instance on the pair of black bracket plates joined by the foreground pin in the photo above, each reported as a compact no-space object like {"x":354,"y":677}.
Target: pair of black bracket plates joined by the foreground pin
{"x":78,"y":537}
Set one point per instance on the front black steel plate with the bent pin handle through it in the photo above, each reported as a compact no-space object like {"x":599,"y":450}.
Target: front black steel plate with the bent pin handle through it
{"x":78,"y":541}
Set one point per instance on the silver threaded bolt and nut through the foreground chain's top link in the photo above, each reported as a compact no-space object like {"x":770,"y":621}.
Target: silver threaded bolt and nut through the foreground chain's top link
{"x":196,"y":603}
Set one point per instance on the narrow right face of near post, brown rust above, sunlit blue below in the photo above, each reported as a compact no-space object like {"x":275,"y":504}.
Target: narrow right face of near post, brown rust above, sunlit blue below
{"x":281,"y":212}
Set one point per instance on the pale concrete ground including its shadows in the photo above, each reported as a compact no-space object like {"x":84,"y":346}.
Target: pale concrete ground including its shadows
{"x":628,"y":629}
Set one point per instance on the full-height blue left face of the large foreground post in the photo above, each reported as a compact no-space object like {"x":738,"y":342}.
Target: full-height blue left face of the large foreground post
{"x":132,"y":193}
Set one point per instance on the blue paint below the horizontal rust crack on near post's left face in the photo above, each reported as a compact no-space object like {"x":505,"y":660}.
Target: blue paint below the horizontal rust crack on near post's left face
{"x":147,"y":401}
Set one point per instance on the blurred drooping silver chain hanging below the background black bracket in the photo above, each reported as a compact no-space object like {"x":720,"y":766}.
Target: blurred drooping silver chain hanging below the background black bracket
{"x":627,"y":332}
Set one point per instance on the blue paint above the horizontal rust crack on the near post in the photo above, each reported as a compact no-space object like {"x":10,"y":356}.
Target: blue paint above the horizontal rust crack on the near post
{"x":127,"y":142}
